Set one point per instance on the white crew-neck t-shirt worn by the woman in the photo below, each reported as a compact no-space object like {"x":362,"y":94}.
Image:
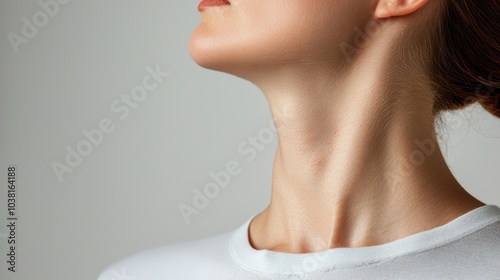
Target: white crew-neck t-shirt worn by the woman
{"x":465,"y":248}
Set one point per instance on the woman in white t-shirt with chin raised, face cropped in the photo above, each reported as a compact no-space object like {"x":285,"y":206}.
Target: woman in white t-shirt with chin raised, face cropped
{"x":360,"y":188}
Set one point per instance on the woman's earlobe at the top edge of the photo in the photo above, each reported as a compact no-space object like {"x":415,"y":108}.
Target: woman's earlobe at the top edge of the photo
{"x":392,"y":8}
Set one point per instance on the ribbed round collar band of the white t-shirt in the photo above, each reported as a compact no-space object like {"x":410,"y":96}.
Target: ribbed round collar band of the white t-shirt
{"x":266,"y":262}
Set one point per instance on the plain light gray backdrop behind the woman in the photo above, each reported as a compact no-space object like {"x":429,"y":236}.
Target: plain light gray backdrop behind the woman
{"x":124,"y":196}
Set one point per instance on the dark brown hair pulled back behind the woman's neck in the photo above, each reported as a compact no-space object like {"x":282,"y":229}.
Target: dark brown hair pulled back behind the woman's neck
{"x":466,"y":58}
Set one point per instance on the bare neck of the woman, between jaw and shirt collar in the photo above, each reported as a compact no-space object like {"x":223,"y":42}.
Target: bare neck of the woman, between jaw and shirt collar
{"x":343,"y":174}
